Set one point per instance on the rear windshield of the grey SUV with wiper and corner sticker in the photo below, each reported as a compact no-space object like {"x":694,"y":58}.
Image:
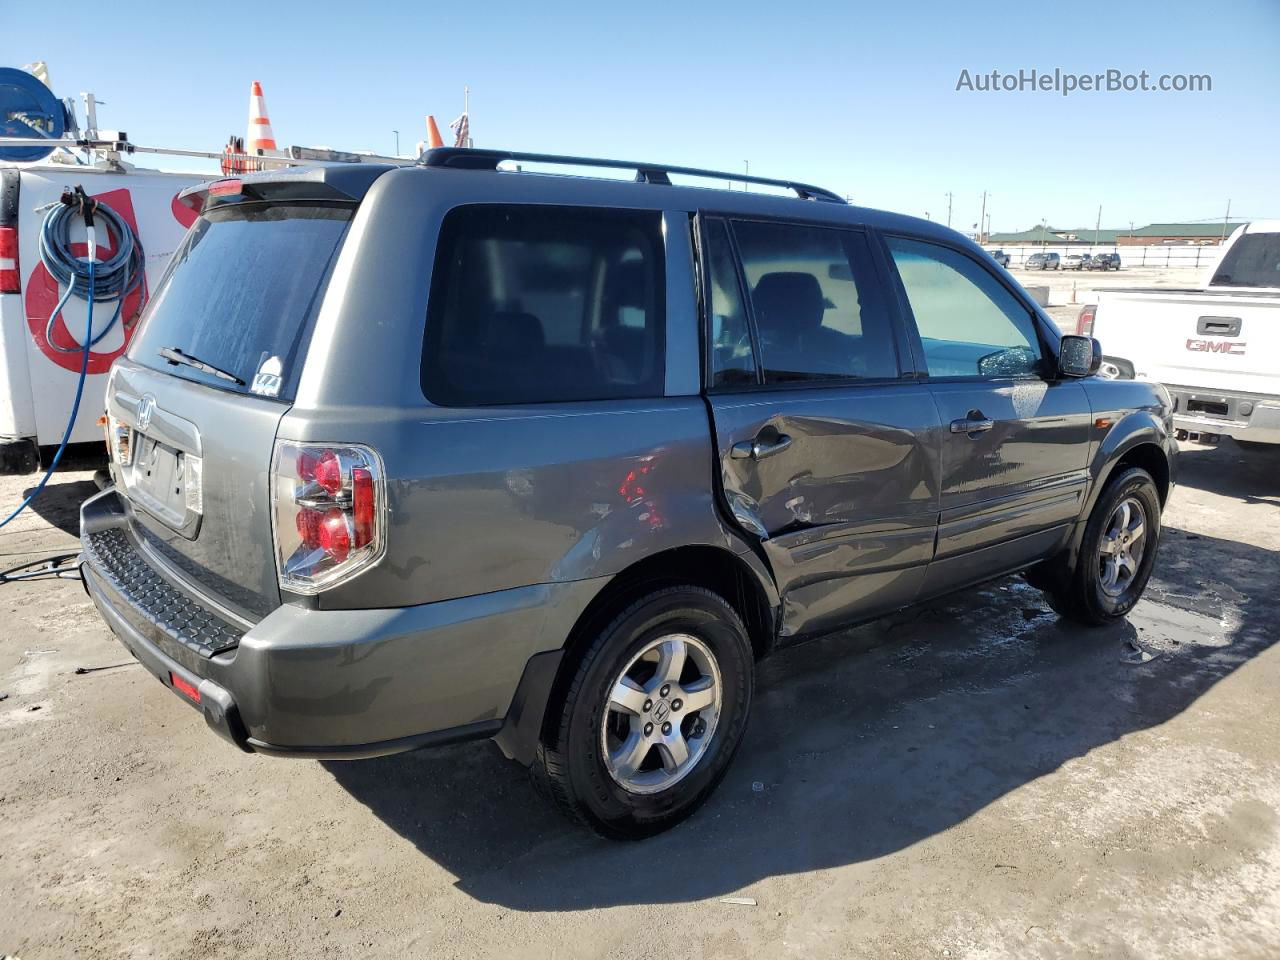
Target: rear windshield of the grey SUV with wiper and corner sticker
{"x":243,"y":294}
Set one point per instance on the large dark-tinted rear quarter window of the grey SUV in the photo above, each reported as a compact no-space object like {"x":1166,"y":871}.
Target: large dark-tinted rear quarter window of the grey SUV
{"x":542,"y":304}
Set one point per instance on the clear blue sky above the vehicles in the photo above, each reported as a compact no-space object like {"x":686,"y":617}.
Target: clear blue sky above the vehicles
{"x":856,"y":97}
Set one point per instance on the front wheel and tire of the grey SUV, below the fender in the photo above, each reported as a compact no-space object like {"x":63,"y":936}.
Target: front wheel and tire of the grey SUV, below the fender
{"x":1108,"y":579}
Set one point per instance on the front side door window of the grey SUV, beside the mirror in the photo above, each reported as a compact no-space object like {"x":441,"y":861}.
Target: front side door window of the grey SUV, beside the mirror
{"x":970,"y":324}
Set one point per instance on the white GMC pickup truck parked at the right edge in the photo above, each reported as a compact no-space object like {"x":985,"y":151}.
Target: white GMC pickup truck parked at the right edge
{"x":1217,"y":349}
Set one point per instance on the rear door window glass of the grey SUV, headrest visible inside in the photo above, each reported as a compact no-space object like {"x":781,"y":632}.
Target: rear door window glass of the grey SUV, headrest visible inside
{"x":817,"y":307}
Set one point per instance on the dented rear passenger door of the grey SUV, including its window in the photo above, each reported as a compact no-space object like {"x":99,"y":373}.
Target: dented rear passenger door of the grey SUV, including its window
{"x":834,"y":470}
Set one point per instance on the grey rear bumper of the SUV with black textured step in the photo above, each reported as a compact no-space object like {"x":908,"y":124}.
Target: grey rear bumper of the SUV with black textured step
{"x":345,"y":684}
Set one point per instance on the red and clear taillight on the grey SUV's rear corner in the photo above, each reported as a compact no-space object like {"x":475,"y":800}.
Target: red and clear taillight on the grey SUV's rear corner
{"x":331,"y":514}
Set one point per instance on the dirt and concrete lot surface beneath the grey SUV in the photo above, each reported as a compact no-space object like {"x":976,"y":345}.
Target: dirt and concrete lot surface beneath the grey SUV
{"x":972,"y":780}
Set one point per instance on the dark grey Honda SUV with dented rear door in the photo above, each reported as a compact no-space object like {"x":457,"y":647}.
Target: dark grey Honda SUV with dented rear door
{"x":578,"y":516}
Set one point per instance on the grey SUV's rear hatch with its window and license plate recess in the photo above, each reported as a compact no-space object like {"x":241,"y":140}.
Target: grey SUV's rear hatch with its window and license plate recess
{"x":212,"y":372}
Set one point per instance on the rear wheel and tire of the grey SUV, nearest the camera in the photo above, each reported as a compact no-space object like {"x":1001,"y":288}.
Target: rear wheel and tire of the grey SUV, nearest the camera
{"x":652,"y":717}
